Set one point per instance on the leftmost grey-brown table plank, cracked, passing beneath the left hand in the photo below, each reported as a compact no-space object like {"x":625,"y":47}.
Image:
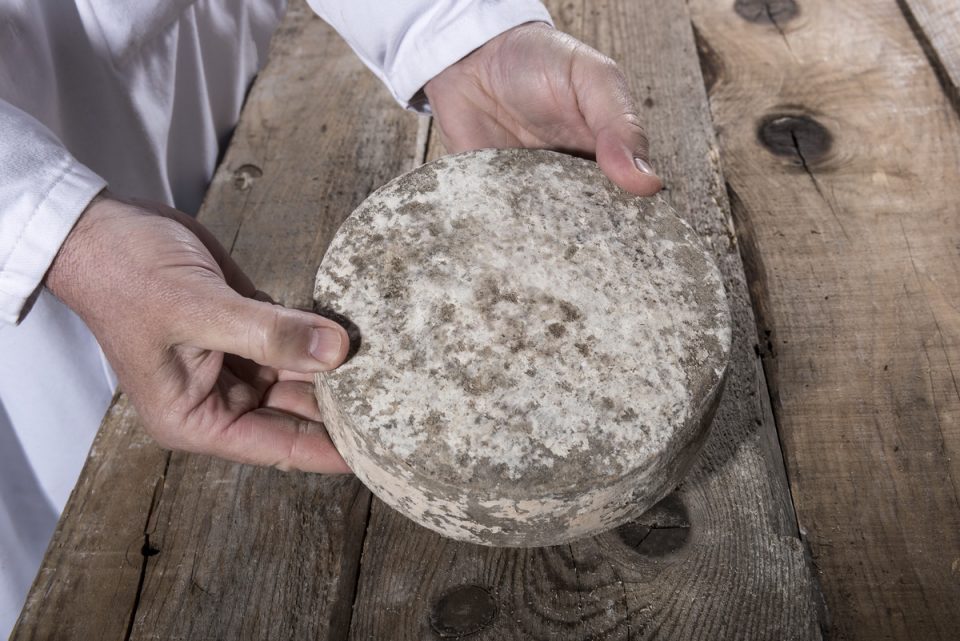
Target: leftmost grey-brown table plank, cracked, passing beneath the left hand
{"x":160,"y":545}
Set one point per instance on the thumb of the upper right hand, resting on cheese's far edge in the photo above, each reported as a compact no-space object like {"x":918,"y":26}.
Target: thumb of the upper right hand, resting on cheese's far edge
{"x":621,"y":143}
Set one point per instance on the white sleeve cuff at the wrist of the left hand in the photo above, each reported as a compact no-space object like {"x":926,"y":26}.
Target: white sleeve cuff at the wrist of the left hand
{"x":43,"y":190}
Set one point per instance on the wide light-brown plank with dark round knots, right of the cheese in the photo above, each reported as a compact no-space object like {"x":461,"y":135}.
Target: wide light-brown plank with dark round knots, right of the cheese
{"x":843,"y":157}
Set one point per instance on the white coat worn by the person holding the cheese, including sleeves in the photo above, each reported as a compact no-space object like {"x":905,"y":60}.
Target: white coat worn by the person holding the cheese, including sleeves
{"x":139,"y":95}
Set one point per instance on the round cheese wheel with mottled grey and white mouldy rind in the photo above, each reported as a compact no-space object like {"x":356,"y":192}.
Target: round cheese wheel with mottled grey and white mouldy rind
{"x":542,"y":352}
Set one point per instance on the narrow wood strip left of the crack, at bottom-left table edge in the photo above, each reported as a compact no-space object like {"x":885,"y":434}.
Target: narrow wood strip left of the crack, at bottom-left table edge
{"x":88,"y":583}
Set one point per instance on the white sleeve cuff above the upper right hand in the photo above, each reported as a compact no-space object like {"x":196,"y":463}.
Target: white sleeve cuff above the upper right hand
{"x":407,"y":42}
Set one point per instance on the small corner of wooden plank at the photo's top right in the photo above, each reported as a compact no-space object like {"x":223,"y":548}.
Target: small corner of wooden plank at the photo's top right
{"x":936,"y":24}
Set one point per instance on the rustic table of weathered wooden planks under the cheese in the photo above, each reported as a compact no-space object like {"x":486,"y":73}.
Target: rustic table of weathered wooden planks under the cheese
{"x":816,"y":148}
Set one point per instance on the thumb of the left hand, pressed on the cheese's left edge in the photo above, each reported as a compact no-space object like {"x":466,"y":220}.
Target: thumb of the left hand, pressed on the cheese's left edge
{"x":267,"y":334}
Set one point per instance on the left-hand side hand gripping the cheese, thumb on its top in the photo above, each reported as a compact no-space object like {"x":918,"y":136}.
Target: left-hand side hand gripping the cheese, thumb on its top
{"x":210,"y":364}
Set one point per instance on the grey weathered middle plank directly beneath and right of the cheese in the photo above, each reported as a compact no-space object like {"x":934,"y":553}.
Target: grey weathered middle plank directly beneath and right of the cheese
{"x":718,"y":559}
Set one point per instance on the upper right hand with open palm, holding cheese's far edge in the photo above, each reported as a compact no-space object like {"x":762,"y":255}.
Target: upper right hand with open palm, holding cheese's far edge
{"x":534,"y":86}
